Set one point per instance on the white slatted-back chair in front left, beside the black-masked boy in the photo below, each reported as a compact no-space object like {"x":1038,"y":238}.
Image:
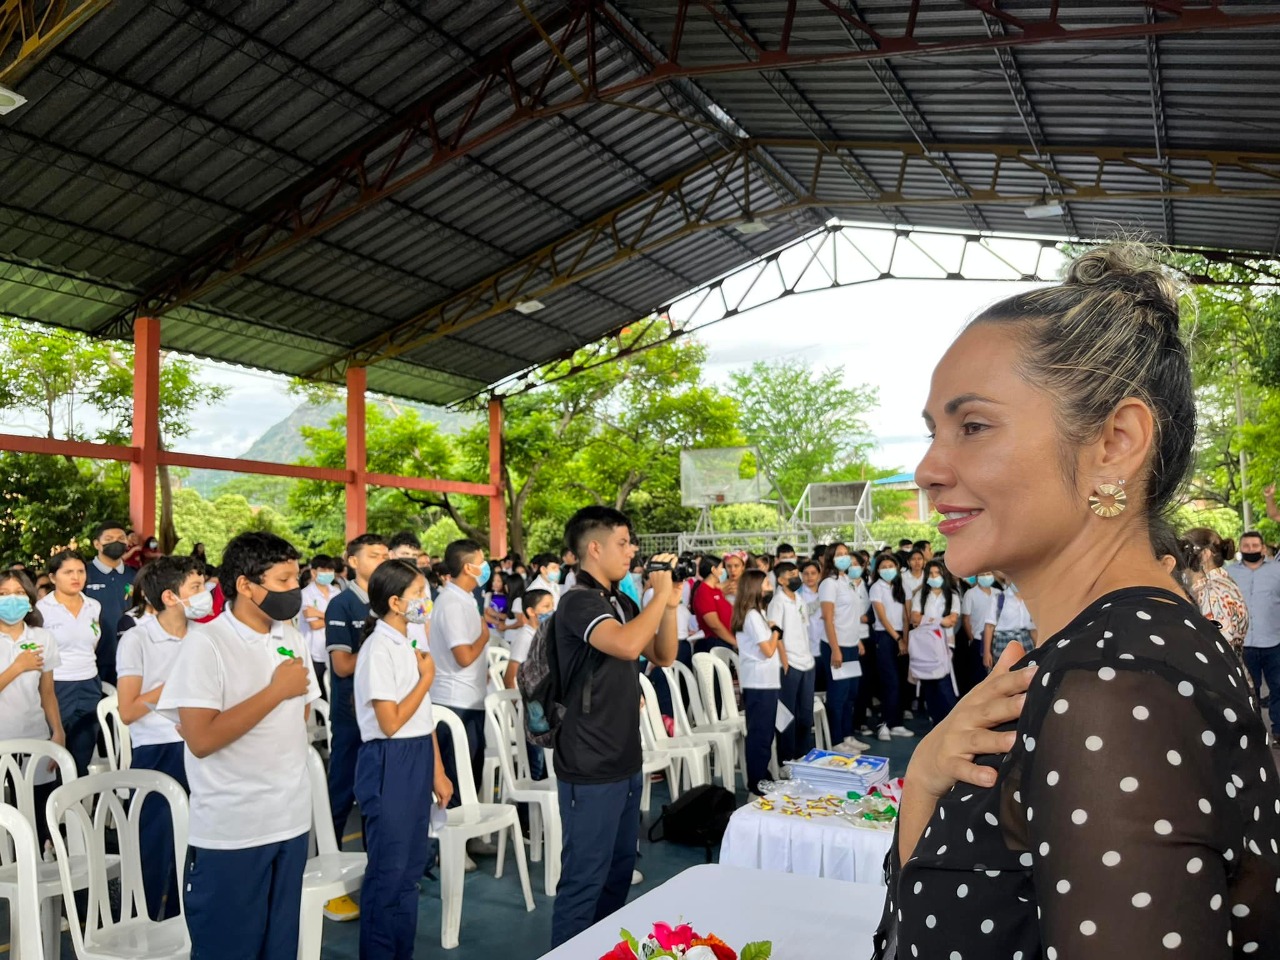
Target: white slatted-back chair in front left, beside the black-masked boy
{"x":84,"y":810}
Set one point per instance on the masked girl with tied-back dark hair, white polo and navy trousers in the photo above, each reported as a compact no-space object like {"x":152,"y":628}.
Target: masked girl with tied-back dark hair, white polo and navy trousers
{"x":399,"y":765}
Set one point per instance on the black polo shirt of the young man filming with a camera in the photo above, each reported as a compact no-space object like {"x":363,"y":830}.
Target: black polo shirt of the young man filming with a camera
{"x":602,"y":747}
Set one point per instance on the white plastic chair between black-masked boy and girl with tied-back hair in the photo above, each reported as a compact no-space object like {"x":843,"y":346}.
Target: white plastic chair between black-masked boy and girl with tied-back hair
{"x":331,"y":872}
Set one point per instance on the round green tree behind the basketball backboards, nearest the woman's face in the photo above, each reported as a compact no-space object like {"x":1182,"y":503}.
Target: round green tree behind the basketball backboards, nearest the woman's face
{"x":808,"y":424}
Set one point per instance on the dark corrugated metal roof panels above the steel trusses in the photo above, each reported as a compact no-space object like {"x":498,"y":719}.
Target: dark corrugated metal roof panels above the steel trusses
{"x":161,"y":127}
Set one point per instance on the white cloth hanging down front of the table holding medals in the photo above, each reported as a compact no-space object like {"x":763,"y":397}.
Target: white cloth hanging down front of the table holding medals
{"x":821,"y":847}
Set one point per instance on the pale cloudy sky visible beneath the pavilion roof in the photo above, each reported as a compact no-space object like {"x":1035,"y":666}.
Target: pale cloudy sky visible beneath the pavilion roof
{"x":889,"y":333}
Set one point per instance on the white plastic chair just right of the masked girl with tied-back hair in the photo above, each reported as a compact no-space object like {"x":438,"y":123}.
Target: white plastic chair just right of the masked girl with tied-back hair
{"x":472,"y":819}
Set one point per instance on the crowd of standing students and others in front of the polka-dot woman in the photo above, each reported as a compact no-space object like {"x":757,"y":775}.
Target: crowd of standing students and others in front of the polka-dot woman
{"x":216,"y":670}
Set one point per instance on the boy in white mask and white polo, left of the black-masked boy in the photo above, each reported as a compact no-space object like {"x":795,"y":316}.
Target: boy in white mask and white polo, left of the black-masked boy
{"x":173,"y":587}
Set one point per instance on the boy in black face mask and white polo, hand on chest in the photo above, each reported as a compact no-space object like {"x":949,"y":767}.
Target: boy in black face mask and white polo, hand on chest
{"x":243,"y":688}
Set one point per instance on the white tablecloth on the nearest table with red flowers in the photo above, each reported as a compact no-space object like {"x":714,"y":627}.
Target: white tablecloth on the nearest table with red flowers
{"x":806,"y":917}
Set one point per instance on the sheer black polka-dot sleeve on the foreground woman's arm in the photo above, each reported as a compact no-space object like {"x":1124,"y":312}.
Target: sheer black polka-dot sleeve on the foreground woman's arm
{"x":1133,"y":822}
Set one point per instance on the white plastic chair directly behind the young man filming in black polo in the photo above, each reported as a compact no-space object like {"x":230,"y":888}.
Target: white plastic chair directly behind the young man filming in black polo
{"x":504,"y":714}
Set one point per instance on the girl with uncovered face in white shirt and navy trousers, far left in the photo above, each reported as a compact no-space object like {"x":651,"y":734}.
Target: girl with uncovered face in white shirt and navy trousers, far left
{"x":74,"y":620}
